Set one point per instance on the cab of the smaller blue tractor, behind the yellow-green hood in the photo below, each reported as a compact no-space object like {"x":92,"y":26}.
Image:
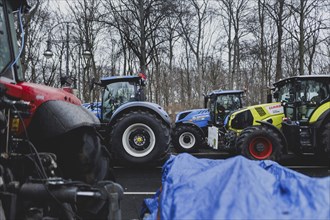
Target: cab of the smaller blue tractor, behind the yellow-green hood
{"x":221,"y":103}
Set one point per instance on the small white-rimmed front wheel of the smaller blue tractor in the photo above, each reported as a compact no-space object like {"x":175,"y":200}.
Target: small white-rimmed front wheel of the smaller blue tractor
{"x":186,"y":138}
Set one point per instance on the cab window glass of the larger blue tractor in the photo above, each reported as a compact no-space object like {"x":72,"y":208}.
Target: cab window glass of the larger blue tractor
{"x":116,"y":94}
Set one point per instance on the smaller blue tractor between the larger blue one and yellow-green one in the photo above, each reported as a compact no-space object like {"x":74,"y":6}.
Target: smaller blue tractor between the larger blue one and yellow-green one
{"x":191,"y":127}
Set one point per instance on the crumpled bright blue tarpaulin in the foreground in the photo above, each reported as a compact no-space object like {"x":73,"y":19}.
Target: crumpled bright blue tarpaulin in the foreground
{"x":237,"y":188}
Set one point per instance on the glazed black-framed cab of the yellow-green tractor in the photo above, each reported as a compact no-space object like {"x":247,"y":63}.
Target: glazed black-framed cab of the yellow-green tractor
{"x":302,"y":95}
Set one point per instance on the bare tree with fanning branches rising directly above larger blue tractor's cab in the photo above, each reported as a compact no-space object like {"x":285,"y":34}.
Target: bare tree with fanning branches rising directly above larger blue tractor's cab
{"x":136,"y":21}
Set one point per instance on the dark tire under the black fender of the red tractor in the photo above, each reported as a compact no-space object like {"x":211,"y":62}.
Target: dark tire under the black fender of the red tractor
{"x":80,"y":156}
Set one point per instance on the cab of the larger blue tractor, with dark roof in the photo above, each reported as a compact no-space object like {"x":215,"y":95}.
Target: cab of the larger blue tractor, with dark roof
{"x":118,"y":90}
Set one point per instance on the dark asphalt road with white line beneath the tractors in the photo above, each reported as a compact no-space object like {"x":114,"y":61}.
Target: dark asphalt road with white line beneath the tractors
{"x":141,"y":183}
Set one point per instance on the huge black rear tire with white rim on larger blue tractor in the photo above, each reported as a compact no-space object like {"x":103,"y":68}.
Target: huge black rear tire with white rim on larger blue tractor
{"x":139,"y":137}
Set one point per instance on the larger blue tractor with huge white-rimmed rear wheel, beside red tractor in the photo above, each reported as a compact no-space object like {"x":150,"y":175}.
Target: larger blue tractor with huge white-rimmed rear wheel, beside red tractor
{"x":135,"y":131}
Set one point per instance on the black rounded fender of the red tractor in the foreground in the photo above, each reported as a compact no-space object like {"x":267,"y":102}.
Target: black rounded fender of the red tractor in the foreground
{"x":54,"y":118}
